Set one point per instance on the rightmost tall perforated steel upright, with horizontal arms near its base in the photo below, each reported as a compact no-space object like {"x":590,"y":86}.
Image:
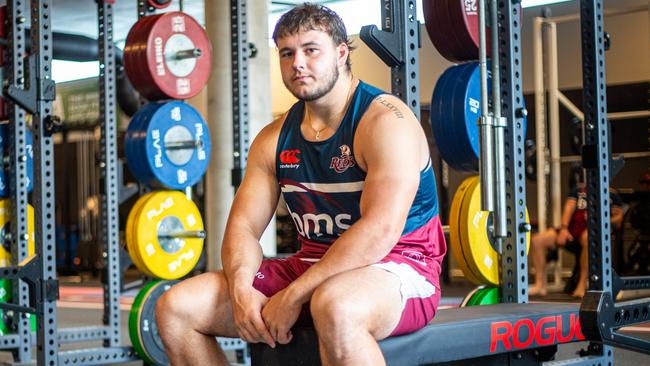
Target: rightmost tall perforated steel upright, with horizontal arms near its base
{"x":600,"y":317}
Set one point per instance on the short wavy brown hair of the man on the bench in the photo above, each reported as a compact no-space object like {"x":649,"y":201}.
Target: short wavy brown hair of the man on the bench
{"x":309,"y":16}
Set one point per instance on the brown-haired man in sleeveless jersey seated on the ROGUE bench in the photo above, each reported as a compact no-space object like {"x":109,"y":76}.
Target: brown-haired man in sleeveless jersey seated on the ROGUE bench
{"x":353,"y":166}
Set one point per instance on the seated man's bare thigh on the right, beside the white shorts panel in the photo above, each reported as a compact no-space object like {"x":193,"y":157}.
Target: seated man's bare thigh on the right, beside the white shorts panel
{"x":376,"y":293}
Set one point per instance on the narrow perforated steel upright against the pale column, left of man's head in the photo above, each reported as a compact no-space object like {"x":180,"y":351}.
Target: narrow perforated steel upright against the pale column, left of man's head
{"x":239,"y":66}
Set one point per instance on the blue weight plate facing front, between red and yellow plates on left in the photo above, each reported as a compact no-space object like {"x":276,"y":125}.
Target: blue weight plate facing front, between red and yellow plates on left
{"x":176,"y":169}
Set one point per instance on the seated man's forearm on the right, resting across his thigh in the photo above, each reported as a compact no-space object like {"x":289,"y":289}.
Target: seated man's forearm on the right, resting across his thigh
{"x":358,"y":247}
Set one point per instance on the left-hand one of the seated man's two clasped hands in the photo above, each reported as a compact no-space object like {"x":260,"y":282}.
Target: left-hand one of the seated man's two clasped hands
{"x":247,"y":312}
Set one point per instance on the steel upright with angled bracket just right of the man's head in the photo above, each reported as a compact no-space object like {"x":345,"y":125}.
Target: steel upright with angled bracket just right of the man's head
{"x":398,"y":45}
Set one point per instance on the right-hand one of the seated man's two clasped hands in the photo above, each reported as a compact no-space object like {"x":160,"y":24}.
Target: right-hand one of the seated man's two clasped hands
{"x":280,"y":314}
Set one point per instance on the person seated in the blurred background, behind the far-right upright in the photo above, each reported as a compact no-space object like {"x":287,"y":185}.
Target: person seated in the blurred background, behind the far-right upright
{"x":572,"y":236}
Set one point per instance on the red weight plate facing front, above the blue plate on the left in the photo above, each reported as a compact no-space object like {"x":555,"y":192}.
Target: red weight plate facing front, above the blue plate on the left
{"x":168,"y":85}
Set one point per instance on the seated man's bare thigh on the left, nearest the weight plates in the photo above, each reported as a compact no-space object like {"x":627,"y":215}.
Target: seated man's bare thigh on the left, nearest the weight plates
{"x":206,"y":304}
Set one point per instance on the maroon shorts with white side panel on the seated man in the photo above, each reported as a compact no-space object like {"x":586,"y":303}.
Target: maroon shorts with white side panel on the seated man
{"x":420,"y":297}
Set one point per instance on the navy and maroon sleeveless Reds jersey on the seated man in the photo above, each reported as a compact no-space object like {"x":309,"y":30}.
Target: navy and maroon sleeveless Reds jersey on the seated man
{"x":322,"y":185}
